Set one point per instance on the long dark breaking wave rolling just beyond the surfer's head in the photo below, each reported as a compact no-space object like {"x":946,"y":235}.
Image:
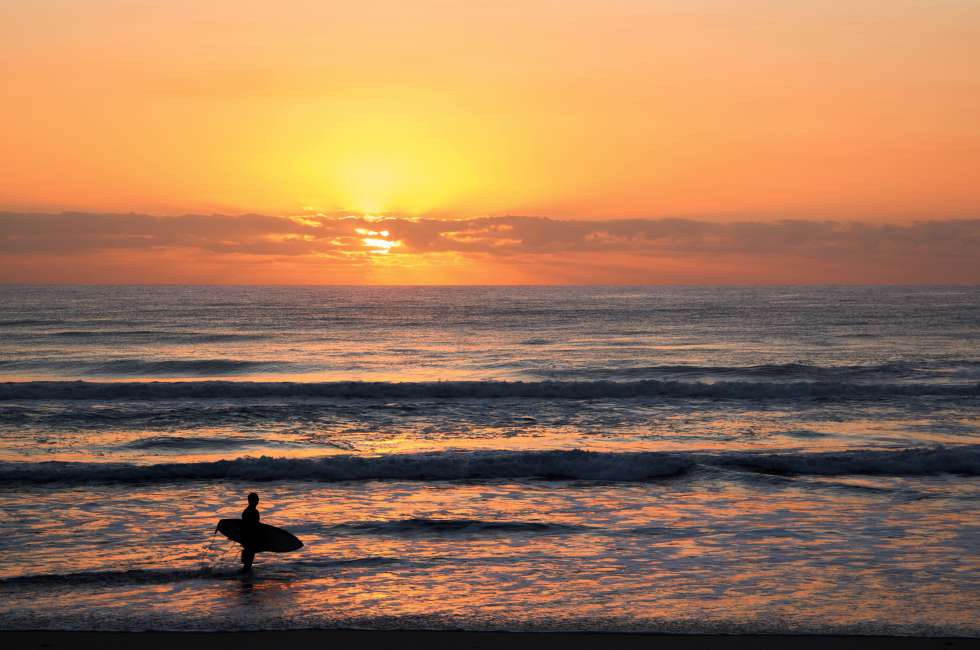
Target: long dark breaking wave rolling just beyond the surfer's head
{"x":556,"y":465}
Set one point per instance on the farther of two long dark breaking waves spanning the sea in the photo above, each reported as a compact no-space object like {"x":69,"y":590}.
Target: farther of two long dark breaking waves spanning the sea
{"x":68,"y":390}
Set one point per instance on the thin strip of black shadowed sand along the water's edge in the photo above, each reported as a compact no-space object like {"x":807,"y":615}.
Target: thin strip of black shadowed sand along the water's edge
{"x":399,"y":640}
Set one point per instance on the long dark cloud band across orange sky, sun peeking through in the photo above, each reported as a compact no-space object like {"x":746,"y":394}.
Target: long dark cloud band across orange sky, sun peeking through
{"x":80,"y":233}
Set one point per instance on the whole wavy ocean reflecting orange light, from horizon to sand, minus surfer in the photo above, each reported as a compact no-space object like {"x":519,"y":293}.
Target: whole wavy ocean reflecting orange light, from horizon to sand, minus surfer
{"x":674,"y":459}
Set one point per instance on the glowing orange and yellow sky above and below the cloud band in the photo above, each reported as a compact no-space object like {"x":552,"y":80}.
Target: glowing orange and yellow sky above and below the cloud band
{"x":717,"y":111}
